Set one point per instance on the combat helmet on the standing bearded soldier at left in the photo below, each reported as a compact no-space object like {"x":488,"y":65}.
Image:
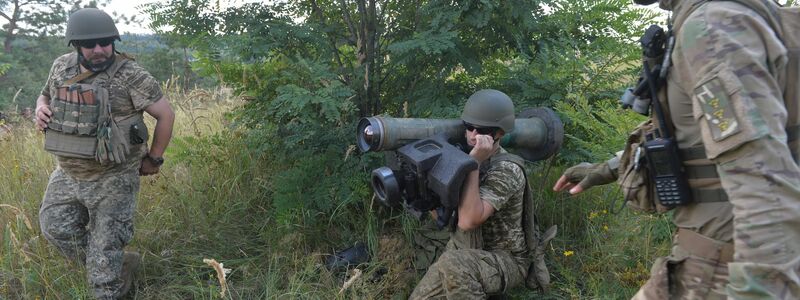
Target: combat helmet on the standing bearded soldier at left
{"x":90,"y":23}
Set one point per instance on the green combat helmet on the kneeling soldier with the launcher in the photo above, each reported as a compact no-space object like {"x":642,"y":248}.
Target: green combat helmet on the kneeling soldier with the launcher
{"x":489,"y":108}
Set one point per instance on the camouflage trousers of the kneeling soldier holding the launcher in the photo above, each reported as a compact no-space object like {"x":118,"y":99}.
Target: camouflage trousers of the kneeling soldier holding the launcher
{"x":464,"y":271}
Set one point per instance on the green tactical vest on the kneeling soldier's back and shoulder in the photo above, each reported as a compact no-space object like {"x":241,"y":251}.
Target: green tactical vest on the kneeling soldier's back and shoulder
{"x":535,"y":241}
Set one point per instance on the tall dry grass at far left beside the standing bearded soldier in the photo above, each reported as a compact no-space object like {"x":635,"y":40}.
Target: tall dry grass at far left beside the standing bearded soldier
{"x":26,"y":271}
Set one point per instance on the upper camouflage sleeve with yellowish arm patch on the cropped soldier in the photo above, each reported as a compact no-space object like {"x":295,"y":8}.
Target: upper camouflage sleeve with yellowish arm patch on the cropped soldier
{"x":726,"y":56}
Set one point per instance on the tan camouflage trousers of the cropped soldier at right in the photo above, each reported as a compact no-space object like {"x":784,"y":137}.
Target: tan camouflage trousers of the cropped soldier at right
{"x":695,"y":269}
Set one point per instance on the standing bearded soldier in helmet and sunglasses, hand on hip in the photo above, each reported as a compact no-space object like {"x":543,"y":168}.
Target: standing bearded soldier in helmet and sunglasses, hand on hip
{"x":88,"y":207}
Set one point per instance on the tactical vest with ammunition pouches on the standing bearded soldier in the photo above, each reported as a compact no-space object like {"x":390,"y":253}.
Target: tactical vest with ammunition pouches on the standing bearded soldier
{"x":82,"y":124}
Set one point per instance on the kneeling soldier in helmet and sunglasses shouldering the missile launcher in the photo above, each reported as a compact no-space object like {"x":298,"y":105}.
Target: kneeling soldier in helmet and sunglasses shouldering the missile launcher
{"x":487,"y":253}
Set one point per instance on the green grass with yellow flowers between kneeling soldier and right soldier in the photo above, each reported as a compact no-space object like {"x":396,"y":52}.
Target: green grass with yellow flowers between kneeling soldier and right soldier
{"x":601,"y":251}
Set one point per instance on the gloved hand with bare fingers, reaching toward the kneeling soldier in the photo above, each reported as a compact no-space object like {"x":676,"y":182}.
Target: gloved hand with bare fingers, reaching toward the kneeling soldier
{"x":581,"y":177}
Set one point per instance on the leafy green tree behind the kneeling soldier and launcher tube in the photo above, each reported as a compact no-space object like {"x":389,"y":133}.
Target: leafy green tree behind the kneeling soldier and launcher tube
{"x":313,"y":67}
